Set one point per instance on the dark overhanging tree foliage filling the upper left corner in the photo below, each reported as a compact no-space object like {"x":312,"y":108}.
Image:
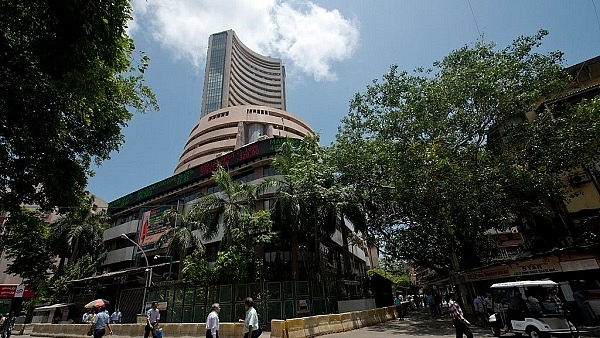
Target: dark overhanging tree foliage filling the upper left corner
{"x":67,"y":83}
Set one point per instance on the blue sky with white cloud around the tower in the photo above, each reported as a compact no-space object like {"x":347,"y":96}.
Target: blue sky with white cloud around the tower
{"x":331,"y":50}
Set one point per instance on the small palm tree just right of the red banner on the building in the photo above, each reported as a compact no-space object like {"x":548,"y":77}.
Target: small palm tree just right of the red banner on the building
{"x":180,"y":237}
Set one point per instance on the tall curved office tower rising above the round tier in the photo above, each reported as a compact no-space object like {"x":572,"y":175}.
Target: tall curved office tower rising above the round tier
{"x":235,"y":76}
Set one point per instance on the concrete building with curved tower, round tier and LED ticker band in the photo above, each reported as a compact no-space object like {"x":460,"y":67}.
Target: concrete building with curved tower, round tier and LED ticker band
{"x":243,"y":123}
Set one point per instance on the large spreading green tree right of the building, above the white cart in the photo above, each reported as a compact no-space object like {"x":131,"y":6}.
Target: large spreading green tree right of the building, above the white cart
{"x":439,"y":156}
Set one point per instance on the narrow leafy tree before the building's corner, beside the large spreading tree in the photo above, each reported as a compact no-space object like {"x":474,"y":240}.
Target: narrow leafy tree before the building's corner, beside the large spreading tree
{"x":308,"y":203}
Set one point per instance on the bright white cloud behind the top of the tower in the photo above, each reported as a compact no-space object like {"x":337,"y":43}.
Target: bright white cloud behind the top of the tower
{"x":308,"y":38}
